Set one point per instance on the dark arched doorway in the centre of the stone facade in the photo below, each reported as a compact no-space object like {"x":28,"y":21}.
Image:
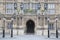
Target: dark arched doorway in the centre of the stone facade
{"x":30,"y":25}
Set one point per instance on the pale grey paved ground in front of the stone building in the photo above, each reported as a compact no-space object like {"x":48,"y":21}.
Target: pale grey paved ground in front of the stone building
{"x":28,"y":37}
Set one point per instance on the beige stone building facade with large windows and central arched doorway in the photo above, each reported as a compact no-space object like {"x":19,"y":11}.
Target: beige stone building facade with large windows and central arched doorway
{"x":30,"y":16}
